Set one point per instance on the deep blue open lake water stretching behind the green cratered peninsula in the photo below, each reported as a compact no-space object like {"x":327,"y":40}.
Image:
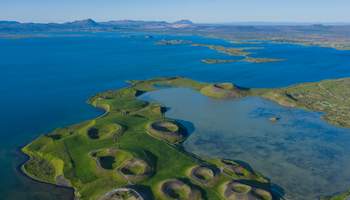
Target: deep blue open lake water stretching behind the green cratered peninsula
{"x":44,"y":82}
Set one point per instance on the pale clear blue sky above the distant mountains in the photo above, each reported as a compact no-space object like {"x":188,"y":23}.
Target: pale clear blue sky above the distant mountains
{"x":171,"y":10}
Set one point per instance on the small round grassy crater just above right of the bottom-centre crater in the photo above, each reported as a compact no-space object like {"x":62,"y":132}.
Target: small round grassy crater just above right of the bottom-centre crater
{"x":206,"y":175}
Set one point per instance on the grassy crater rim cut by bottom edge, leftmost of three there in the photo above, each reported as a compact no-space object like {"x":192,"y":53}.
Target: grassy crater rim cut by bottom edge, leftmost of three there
{"x":122,"y":194}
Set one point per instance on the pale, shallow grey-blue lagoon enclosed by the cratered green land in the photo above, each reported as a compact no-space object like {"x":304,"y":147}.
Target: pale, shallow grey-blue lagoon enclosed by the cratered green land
{"x":301,"y":153}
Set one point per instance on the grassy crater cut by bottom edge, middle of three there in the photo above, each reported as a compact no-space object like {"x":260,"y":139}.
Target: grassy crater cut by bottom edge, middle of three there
{"x":177,"y":189}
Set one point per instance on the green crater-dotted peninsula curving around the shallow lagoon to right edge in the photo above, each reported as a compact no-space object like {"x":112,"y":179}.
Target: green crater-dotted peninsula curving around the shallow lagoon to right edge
{"x":133,"y":151}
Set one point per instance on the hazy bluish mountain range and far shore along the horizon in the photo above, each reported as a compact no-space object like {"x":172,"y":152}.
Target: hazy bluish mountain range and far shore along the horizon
{"x":336,"y":36}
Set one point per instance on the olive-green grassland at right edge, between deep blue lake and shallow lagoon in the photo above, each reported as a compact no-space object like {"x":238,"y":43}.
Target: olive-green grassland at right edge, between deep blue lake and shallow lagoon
{"x":329,"y":96}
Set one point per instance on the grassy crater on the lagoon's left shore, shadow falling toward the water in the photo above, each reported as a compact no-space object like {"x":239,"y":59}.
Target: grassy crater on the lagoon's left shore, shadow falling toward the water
{"x":168,"y":130}
